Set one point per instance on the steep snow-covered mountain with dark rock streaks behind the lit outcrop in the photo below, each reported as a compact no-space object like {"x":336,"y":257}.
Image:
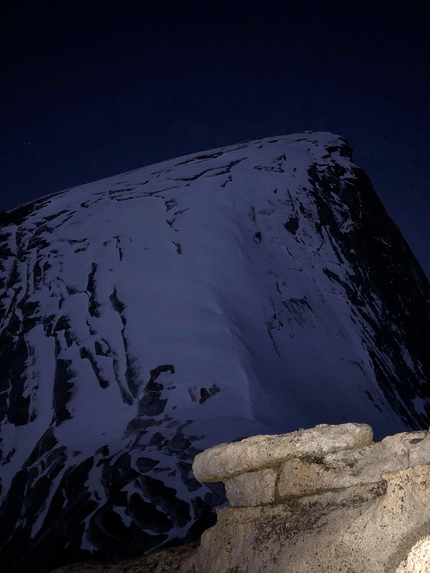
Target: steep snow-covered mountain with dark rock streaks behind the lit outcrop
{"x":253,"y":289}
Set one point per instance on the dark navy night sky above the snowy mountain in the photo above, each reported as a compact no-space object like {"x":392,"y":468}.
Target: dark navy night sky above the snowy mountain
{"x":93,"y":88}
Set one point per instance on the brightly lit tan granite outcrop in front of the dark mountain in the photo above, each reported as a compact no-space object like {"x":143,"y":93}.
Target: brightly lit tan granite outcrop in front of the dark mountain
{"x":312,"y":506}
